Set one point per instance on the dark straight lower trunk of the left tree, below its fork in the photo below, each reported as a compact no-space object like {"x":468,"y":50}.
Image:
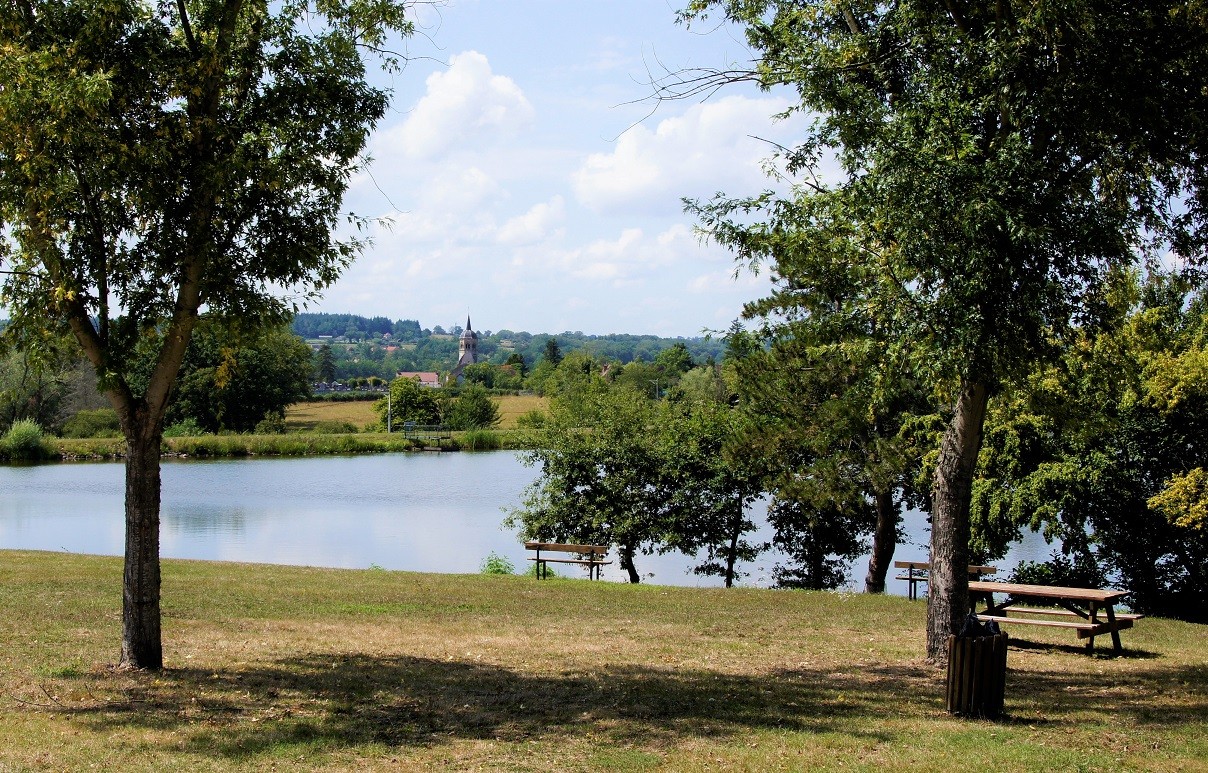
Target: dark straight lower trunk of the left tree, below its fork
{"x":142,"y":646}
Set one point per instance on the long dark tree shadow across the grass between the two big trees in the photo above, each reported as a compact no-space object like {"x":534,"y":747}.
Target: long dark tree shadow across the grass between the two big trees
{"x":341,"y":701}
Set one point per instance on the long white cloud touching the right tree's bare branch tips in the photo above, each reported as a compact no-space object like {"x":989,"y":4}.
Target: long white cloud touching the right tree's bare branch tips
{"x":711,"y":148}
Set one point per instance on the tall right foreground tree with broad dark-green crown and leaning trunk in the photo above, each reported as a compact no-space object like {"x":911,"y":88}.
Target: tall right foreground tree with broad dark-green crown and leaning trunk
{"x":996,"y":161}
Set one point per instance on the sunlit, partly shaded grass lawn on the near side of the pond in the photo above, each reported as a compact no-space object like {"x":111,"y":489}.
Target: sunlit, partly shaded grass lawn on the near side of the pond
{"x":271,"y":667}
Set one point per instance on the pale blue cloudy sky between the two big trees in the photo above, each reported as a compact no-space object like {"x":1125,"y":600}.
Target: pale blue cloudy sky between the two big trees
{"x":525,"y":178}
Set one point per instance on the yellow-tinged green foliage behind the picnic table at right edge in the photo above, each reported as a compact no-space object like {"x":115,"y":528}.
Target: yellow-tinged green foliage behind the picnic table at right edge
{"x":1084,"y":451}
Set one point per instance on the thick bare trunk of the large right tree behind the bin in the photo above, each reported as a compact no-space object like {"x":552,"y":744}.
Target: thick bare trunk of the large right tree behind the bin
{"x":948,"y":595}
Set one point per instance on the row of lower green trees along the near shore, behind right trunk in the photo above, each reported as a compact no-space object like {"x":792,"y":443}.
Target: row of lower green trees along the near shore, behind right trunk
{"x":1101,"y":450}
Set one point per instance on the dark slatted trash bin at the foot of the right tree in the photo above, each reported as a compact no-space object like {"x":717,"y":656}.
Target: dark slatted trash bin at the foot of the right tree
{"x":977,"y":672}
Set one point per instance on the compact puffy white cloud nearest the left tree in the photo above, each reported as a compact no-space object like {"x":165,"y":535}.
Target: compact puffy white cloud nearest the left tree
{"x":464,"y":104}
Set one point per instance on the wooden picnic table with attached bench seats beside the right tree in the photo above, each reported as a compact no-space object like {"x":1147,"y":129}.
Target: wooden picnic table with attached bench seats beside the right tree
{"x":1084,"y":605}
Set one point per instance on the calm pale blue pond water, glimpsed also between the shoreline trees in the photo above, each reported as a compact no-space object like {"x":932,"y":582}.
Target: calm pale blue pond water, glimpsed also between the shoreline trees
{"x":419,"y":513}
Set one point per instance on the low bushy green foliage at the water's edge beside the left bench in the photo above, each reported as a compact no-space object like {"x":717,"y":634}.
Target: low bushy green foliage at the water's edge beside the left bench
{"x":622,"y":469}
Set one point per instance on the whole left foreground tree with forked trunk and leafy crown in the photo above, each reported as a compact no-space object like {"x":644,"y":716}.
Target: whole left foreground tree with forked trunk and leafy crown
{"x":156,"y":159}
